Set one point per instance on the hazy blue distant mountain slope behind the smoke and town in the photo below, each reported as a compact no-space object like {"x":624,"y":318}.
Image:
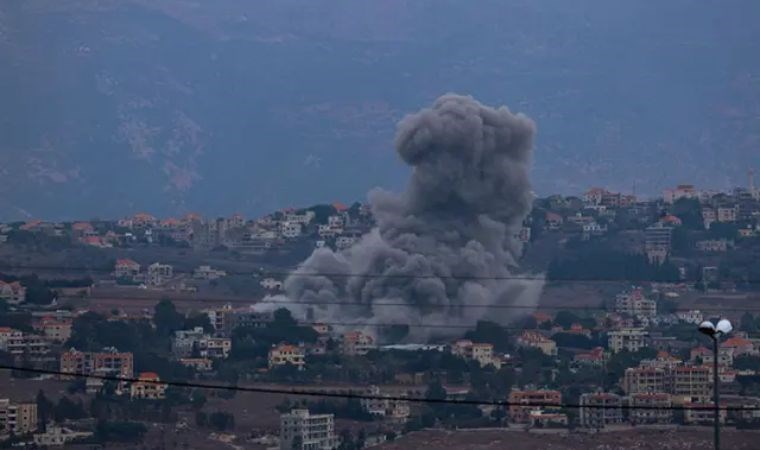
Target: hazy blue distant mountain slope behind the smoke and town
{"x":173,"y":105}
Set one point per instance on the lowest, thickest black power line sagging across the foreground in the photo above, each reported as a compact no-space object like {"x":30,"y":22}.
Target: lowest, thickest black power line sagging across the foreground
{"x":351,"y":395}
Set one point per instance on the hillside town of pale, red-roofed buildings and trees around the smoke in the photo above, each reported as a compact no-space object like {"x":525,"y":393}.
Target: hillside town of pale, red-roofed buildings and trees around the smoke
{"x":151,"y":301}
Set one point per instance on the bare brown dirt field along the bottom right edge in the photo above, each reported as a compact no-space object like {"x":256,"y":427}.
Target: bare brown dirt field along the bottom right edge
{"x":640,"y":439}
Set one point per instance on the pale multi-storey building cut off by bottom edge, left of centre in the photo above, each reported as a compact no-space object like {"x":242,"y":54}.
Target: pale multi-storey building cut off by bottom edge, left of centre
{"x":304,"y":431}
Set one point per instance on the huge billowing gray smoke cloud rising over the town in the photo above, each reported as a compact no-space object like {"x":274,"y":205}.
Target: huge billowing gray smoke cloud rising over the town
{"x":446,"y":241}
